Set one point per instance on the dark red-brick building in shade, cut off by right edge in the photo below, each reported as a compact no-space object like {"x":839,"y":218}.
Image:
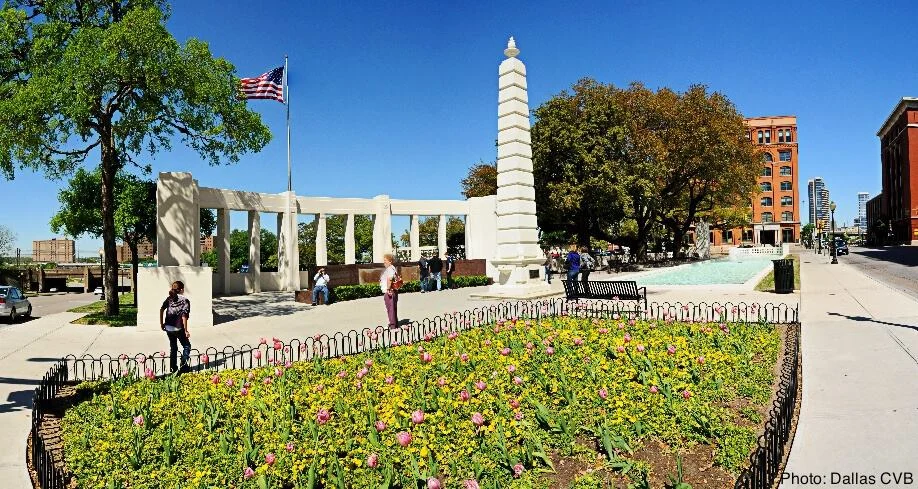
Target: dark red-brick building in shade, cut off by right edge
{"x":899,"y":162}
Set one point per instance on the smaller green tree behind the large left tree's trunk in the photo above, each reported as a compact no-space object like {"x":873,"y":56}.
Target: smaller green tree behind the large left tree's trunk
{"x":135,"y":218}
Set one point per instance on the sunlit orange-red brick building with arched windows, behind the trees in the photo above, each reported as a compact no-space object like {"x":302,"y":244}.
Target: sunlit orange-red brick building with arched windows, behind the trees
{"x":774,"y":212}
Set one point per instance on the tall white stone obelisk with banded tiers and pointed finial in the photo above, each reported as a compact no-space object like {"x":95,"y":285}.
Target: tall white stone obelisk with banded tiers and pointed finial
{"x":518,"y":257}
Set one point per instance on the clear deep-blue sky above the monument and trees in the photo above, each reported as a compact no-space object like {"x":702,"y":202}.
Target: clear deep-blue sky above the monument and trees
{"x":400,"y":97}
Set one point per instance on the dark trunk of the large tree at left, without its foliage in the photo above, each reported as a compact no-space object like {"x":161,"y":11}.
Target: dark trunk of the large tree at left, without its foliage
{"x":109,"y":169}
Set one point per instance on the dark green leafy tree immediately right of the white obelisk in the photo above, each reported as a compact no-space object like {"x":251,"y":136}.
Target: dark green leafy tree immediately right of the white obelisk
{"x":577,"y":173}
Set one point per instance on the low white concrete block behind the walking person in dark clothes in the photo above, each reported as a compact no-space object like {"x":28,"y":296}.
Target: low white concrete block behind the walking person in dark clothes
{"x":153,"y":287}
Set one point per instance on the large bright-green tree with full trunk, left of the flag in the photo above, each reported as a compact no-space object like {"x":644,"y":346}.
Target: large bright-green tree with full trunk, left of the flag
{"x":81,"y":79}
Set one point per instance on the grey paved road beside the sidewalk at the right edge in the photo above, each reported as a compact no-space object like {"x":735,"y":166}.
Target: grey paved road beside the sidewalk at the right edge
{"x":895,"y":266}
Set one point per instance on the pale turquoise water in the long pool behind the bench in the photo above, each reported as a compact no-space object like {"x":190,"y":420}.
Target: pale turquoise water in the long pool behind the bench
{"x":711,"y":272}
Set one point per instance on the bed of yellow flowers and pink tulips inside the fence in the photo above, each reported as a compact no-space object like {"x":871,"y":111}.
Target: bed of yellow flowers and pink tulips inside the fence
{"x":528,"y":403}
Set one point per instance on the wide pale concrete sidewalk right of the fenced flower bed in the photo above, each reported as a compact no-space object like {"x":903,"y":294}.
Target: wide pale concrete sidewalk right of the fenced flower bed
{"x":859,"y":414}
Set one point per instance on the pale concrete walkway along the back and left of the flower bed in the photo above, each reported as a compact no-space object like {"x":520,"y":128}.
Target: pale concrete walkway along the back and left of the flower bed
{"x":27,"y":350}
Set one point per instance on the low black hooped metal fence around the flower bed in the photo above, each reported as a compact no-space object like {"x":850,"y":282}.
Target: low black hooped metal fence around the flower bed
{"x":274,"y":351}
